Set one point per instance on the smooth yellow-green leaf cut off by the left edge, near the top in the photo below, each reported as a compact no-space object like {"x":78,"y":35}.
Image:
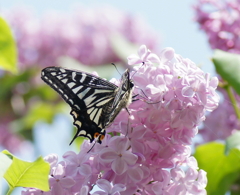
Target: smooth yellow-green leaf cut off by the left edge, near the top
{"x":8,"y":50}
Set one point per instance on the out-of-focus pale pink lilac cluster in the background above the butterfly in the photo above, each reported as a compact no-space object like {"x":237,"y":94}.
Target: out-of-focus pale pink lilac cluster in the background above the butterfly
{"x":85,"y":35}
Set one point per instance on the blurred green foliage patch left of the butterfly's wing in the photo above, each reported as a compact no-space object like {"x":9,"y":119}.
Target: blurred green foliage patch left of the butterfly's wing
{"x":25,"y":99}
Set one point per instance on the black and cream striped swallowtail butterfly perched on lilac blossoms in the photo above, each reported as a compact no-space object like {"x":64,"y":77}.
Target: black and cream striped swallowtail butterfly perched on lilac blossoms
{"x":94,"y":102}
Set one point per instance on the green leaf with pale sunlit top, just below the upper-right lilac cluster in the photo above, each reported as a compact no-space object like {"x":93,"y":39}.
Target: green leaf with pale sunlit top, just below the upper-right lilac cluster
{"x":228,"y":66}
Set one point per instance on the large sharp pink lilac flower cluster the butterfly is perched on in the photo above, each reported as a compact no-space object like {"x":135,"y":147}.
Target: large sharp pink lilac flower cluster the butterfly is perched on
{"x":149,"y":151}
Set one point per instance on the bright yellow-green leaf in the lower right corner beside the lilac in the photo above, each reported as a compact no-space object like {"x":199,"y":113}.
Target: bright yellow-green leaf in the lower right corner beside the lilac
{"x":222,"y":171}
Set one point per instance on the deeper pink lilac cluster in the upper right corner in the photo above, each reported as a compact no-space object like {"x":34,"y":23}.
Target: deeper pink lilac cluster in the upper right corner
{"x":220,"y":20}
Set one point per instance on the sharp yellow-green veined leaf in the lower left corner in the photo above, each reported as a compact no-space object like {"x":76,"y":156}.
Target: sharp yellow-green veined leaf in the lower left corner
{"x":28,"y":174}
